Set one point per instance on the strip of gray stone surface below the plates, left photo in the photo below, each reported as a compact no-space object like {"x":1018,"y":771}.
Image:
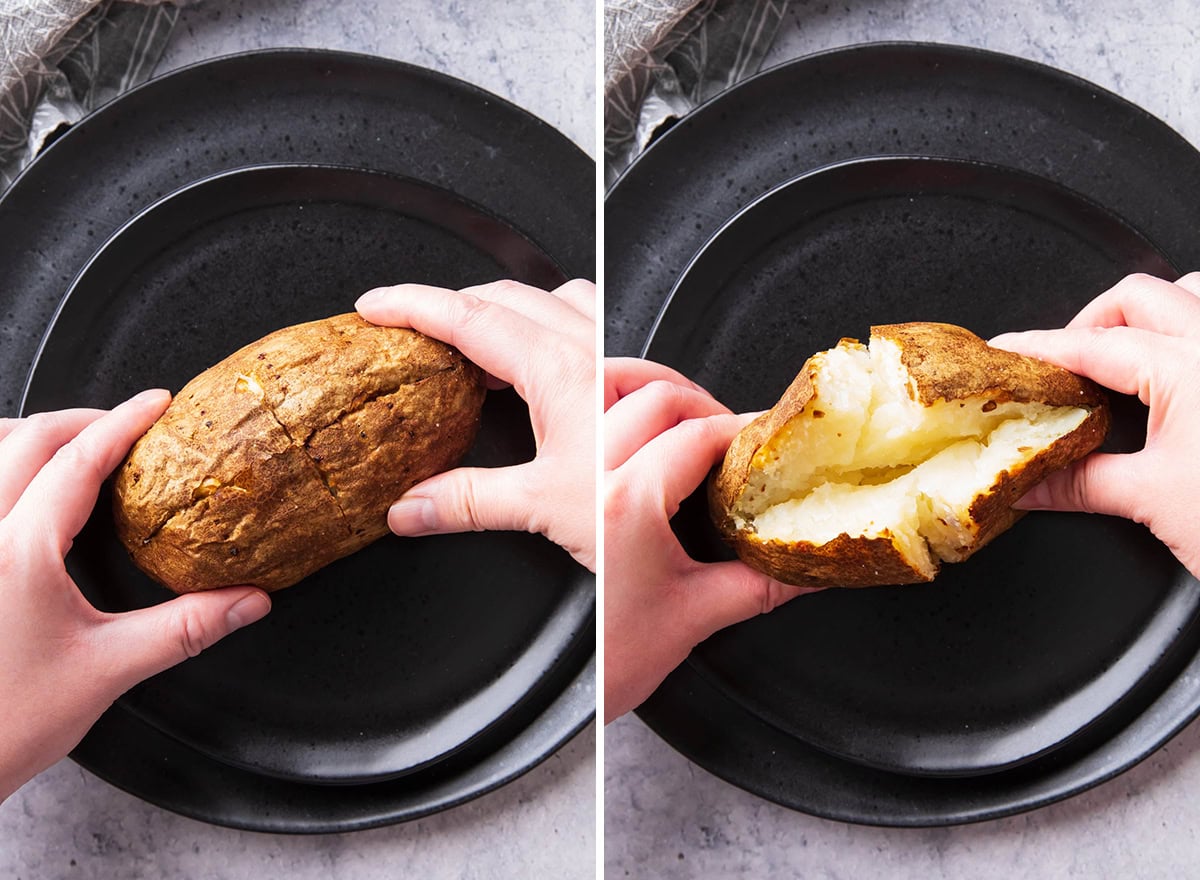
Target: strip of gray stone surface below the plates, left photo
{"x":69,"y":824}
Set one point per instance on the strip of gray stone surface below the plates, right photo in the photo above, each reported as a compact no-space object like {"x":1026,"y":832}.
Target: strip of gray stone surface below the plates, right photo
{"x":667,"y":818}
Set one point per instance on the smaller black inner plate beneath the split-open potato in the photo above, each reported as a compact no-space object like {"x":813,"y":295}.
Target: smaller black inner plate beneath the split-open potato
{"x":1034,"y":640}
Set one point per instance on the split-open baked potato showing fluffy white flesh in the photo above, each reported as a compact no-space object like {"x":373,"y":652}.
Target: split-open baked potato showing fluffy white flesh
{"x":883,"y":462}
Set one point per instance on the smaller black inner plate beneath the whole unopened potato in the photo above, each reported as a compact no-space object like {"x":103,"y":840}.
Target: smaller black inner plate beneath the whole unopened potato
{"x":404,"y":654}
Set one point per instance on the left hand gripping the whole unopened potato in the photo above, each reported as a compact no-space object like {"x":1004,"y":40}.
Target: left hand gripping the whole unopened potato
{"x":63,"y":662}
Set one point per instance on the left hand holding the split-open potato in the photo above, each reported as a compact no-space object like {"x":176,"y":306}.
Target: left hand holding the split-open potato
{"x":663,"y":435}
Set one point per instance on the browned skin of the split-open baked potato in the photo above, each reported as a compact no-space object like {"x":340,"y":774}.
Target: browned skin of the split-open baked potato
{"x":947,"y":363}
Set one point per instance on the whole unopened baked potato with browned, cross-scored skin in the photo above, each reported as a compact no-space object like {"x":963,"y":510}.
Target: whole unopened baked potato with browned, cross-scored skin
{"x":235,"y":487}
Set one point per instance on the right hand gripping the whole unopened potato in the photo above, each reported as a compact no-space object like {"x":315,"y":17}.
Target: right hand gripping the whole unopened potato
{"x":544,"y":345}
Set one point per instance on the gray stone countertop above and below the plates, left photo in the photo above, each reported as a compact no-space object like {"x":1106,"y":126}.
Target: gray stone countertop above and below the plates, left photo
{"x":69,"y":824}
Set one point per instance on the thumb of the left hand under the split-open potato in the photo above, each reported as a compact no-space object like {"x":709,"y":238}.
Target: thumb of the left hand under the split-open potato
{"x":724,"y":594}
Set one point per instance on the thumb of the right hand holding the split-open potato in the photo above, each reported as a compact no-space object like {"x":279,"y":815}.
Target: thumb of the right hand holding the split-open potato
{"x":1102,"y":483}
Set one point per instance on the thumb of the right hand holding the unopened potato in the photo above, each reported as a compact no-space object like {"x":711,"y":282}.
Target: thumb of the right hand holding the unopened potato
{"x":466,"y":500}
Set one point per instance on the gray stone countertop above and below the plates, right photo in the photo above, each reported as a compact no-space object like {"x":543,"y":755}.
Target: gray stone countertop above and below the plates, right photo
{"x":667,"y":818}
